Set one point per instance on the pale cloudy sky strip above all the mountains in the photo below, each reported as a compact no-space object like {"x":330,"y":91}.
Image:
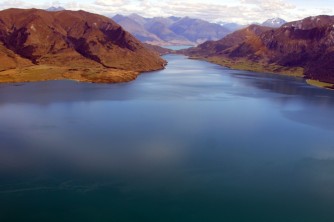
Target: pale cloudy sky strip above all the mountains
{"x":241,"y":11}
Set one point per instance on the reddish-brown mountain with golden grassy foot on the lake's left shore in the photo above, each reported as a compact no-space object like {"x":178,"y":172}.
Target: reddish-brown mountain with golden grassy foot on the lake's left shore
{"x":43,"y":45}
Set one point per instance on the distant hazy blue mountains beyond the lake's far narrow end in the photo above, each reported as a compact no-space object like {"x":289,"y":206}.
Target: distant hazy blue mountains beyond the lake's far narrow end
{"x":171,"y":30}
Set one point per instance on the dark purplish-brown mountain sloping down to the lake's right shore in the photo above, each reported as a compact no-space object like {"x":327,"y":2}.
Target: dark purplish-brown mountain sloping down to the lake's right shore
{"x":302,"y":48}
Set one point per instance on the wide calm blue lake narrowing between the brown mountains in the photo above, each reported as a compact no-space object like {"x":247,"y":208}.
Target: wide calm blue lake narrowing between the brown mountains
{"x":193,"y":142}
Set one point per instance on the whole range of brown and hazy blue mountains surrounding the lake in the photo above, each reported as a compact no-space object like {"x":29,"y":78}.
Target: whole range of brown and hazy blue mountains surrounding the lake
{"x":60,"y":44}
